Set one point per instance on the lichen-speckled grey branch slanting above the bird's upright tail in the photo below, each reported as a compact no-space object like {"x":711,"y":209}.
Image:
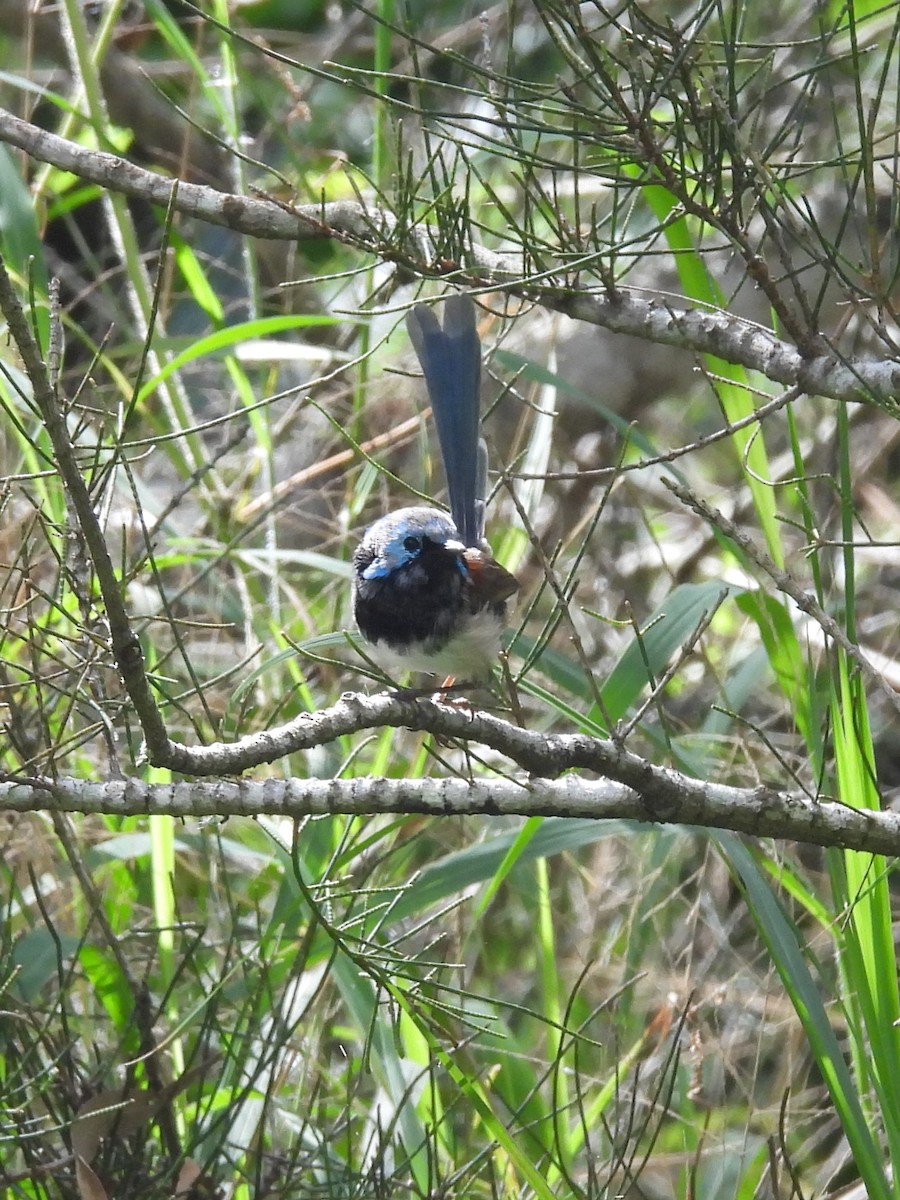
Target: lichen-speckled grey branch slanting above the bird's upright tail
{"x":705,"y":333}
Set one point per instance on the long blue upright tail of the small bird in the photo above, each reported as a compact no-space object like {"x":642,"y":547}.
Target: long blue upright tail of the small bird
{"x":452,"y":362}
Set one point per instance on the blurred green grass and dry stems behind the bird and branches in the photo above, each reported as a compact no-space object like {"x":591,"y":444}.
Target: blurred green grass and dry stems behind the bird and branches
{"x":459,"y":1007}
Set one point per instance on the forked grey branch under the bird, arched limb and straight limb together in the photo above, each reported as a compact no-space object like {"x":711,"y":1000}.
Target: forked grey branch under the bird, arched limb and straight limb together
{"x":632,"y":787}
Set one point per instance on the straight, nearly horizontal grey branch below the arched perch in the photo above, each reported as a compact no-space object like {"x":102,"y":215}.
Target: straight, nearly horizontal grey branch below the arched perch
{"x":759,"y":812}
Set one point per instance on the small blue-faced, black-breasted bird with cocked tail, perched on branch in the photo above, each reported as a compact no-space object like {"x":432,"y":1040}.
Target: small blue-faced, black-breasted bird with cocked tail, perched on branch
{"x":428,"y":593}
